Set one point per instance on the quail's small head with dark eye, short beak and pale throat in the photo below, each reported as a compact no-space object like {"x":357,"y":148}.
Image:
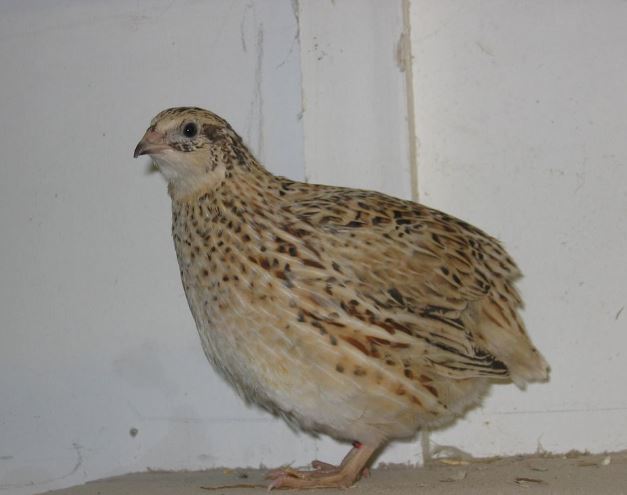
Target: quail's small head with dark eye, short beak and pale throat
{"x":191,"y":147}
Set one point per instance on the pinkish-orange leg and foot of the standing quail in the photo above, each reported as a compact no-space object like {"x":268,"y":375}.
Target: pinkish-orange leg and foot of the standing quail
{"x":325,"y":475}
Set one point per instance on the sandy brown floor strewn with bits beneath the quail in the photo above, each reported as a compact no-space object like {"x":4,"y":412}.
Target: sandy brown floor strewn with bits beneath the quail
{"x":571,"y":474}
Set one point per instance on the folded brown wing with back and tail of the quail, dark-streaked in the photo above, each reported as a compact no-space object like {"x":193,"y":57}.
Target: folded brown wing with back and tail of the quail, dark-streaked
{"x":422,"y":286}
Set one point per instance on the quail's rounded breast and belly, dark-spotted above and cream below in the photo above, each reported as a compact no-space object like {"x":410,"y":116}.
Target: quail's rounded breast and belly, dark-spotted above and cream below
{"x":266,"y":326}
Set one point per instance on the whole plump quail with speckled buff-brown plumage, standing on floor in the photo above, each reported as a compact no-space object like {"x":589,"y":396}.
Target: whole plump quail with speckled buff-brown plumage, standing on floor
{"x":348,"y":312}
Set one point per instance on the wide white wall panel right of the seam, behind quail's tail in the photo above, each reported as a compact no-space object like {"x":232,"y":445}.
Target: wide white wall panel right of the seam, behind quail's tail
{"x":521,"y":116}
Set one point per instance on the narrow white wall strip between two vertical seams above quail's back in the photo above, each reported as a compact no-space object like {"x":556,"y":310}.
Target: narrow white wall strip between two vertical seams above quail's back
{"x":354,"y":96}
